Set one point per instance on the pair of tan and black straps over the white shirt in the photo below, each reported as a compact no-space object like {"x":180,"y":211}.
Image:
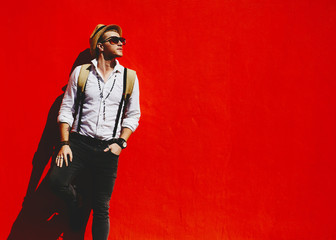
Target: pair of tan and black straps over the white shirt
{"x":128,"y":83}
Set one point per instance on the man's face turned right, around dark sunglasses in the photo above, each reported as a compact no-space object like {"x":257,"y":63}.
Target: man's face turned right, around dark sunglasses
{"x":109,"y":50}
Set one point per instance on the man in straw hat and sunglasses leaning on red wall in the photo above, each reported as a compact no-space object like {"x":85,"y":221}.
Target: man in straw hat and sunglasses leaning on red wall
{"x":94,"y":133}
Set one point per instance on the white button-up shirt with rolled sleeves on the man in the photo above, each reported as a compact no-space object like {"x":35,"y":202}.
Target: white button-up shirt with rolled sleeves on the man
{"x":92,"y":121}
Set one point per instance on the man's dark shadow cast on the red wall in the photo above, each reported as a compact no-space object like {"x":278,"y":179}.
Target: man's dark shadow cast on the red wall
{"x":43,"y":215}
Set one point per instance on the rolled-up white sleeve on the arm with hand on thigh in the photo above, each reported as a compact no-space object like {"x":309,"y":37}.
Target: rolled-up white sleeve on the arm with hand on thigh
{"x":67,"y":109}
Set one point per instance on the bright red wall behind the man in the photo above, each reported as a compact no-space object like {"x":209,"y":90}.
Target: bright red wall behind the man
{"x":237,"y":135}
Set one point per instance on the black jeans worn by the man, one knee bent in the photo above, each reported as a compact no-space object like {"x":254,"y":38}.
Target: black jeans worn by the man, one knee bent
{"x":88,"y":153}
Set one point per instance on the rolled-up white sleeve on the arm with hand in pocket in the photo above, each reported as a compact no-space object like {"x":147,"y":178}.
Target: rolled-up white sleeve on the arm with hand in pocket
{"x":132,"y":112}
